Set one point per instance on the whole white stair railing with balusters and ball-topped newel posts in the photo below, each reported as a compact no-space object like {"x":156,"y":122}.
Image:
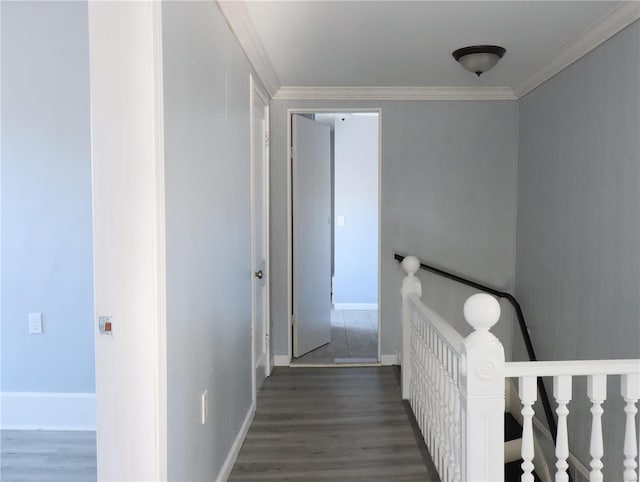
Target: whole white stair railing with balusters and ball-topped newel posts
{"x":456,"y":388}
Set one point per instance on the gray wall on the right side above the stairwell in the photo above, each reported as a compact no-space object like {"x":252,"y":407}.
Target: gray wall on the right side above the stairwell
{"x":578,"y":244}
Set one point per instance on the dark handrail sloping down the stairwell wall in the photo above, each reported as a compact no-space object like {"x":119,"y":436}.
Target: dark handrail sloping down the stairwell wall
{"x":544,"y":398}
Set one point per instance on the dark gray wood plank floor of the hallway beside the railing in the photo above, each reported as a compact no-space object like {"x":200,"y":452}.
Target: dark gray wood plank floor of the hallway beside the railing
{"x":338,"y":424}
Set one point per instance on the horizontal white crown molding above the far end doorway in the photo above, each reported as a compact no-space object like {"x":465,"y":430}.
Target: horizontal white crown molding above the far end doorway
{"x":394,"y":93}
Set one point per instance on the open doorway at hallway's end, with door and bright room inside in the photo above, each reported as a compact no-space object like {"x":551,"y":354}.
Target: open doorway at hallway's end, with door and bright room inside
{"x":335,"y":207}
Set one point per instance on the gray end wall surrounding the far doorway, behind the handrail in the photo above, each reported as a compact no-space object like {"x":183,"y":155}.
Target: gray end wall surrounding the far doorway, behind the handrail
{"x":448,"y":186}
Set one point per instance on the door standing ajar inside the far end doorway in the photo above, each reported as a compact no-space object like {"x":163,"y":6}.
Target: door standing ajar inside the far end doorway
{"x":311,"y":168}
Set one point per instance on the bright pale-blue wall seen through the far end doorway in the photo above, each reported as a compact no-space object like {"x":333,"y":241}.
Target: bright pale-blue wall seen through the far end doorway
{"x":356,"y":198}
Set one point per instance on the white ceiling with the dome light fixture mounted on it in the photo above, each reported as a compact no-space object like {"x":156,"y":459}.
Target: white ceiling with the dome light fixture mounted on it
{"x":409,"y":43}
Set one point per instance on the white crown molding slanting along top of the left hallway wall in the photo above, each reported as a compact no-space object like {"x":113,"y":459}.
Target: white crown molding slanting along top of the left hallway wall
{"x":238,"y":18}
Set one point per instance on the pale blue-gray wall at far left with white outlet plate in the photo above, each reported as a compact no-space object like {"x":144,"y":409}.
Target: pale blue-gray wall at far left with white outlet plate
{"x":46,"y":198}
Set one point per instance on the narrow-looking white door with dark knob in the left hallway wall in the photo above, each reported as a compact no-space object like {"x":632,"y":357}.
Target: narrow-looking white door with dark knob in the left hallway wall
{"x":259,"y":183}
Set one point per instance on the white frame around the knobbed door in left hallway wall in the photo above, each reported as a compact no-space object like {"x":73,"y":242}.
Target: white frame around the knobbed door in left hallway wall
{"x":258,"y":94}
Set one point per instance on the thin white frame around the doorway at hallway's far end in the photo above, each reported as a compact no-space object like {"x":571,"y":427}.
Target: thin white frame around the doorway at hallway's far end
{"x":336,"y":110}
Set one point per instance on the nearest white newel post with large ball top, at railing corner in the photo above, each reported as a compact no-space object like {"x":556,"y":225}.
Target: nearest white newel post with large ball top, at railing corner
{"x":482,"y":392}
